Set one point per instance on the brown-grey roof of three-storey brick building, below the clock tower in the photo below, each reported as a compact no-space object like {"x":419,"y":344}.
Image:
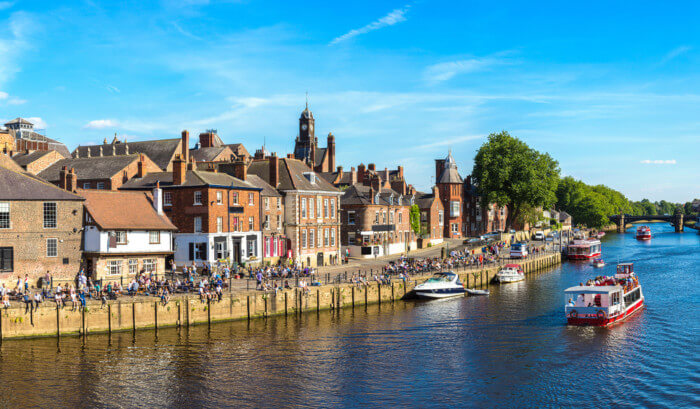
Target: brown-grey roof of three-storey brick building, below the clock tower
{"x":291,"y":175}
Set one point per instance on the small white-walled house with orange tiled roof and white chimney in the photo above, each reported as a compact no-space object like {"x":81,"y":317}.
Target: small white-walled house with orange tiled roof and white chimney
{"x":126,"y":233}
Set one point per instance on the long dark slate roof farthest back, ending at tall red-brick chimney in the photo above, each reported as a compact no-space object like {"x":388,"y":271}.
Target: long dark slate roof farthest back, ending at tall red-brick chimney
{"x":160,"y":151}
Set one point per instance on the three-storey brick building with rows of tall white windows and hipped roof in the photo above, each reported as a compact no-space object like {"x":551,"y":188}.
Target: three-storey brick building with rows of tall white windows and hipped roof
{"x":311,"y":209}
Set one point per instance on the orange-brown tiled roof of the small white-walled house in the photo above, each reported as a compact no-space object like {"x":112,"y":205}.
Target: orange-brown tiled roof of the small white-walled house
{"x":113,"y":210}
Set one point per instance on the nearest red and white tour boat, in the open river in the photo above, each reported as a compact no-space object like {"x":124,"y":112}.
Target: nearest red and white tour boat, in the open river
{"x":606,"y":300}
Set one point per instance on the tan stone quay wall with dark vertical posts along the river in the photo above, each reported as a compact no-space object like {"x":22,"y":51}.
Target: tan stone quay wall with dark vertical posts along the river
{"x":131,"y":314}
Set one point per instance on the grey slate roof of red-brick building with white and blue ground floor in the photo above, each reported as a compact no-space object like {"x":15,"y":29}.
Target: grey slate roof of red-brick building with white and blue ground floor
{"x":193,"y":178}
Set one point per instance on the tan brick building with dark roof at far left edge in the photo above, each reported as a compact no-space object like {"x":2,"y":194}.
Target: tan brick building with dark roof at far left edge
{"x":40,"y":228}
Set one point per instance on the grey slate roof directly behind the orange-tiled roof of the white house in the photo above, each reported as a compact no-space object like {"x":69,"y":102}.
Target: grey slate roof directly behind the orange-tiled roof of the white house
{"x":103,"y":167}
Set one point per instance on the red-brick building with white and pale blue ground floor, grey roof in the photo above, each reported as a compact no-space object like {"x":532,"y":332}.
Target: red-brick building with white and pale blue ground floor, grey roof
{"x":217,"y":215}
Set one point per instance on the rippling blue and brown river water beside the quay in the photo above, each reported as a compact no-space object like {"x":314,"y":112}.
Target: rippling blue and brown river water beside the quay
{"x":511,"y":349}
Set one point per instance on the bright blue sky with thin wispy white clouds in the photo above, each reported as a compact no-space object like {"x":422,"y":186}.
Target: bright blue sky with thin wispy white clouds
{"x":609,"y":89}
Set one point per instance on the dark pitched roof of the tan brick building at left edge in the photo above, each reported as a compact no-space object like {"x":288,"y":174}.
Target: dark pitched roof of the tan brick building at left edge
{"x":21,"y":186}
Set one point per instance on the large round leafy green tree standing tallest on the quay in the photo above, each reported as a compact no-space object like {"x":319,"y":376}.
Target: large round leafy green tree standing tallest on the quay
{"x":508,"y":172}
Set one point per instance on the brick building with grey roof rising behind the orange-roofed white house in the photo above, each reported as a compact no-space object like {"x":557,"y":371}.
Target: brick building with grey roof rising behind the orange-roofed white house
{"x":102,"y":172}
